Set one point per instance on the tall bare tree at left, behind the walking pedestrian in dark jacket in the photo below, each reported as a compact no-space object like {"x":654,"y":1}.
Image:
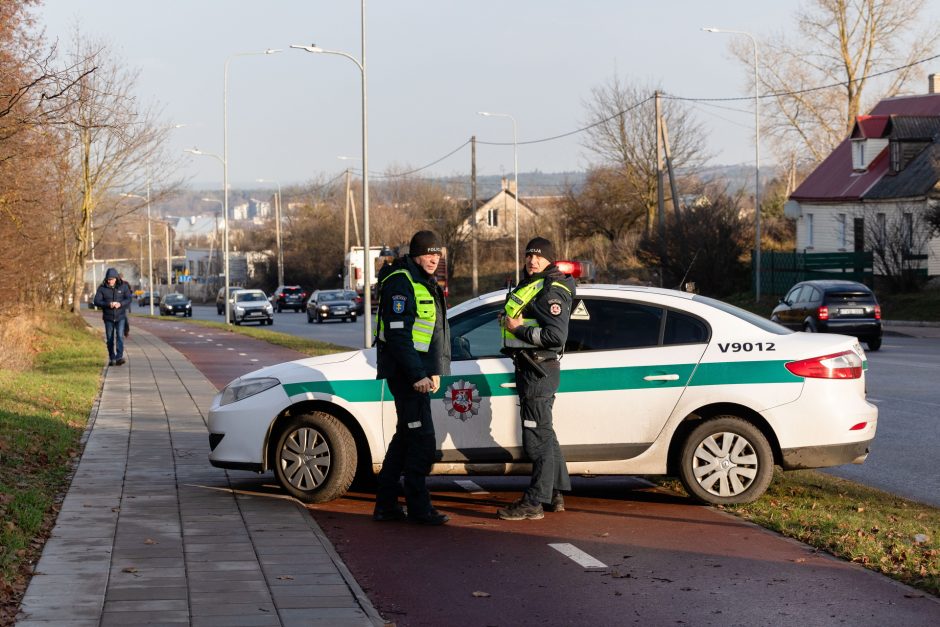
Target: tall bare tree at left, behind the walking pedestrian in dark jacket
{"x":113,"y":142}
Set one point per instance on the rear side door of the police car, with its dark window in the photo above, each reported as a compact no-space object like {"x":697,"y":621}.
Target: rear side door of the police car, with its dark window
{"x":625,"y":367}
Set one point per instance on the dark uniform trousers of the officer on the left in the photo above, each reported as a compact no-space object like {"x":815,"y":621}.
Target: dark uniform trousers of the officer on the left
{"x":411,"y":451}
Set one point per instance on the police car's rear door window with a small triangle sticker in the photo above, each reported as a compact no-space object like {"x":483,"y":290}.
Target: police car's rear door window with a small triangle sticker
{"x":598,"y":324}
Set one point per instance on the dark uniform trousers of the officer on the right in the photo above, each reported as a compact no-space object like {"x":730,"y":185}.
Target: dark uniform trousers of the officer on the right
{"x":536,"y":397}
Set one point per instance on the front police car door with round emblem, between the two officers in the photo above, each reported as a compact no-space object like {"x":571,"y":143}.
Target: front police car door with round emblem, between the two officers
{"x":476,"y":413}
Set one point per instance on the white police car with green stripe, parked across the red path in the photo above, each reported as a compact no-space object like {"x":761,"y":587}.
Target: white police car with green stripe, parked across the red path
{"x":653,"y":382}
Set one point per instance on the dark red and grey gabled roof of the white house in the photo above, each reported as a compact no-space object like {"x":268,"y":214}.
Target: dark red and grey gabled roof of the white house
{"x":909,"y":118}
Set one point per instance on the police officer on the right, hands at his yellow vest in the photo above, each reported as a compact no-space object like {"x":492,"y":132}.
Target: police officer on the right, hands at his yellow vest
{"x":535,"y":327}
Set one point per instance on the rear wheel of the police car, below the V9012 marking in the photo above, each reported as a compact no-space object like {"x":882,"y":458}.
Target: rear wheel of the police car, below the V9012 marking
{"x":726,"y":461}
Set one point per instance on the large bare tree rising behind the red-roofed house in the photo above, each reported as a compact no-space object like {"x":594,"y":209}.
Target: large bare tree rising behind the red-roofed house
{"x":839,"y":43}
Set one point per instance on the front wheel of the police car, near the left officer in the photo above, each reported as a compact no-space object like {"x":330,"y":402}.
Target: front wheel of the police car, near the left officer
{"x":315,"y":458}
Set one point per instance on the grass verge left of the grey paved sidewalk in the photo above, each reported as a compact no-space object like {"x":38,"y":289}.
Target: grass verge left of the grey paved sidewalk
{"x":43,"y":411}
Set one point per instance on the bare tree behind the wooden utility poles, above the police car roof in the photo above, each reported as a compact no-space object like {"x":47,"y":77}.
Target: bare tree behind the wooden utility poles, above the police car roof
{"x":623,"y":138}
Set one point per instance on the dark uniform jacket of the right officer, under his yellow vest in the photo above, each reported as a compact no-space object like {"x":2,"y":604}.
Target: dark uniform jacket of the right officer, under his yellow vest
{"x":552,"y":309}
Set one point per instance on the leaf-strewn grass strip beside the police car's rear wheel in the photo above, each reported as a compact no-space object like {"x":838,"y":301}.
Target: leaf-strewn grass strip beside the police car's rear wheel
{"x":882,"y":532}
